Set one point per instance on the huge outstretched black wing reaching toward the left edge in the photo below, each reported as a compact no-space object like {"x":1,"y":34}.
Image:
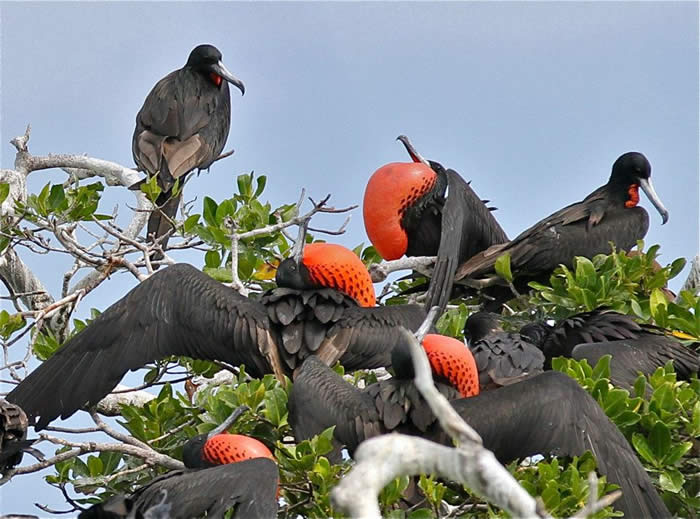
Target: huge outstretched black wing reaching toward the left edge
{"x":178,"y":311}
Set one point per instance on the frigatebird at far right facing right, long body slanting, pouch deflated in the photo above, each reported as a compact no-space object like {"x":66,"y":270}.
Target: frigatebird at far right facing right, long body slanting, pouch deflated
{"x":586,"y":228}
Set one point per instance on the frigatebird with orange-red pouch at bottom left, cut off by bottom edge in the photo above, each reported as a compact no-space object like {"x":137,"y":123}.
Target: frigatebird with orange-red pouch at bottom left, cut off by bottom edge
{"x":225,"y":471}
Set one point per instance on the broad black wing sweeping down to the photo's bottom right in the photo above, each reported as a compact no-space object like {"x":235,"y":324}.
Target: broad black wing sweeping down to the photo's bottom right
{"x":552,"y":414}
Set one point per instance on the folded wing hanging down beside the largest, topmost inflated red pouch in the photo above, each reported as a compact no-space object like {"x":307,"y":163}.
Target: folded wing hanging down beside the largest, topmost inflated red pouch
{"x":468,"y":227}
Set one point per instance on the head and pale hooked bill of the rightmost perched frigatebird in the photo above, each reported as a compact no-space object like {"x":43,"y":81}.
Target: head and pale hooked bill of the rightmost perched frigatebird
{"x":631,"y":171}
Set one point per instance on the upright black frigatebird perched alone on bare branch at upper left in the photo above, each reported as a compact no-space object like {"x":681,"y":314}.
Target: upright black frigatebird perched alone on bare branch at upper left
{"x":183,"y":125}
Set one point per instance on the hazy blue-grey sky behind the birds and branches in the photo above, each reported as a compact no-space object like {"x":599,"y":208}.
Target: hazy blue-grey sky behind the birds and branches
{"x":531,"y":101}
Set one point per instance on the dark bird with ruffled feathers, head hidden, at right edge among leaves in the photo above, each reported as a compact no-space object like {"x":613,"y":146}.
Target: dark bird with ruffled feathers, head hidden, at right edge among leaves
{"x":635,"y":348}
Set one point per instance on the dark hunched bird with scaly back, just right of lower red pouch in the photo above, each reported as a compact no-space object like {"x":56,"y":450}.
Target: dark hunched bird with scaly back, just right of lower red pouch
{"x":501,"y":357}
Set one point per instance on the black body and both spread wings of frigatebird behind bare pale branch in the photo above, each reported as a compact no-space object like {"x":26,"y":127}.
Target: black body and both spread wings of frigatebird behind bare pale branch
{"x":547,"y":414}
